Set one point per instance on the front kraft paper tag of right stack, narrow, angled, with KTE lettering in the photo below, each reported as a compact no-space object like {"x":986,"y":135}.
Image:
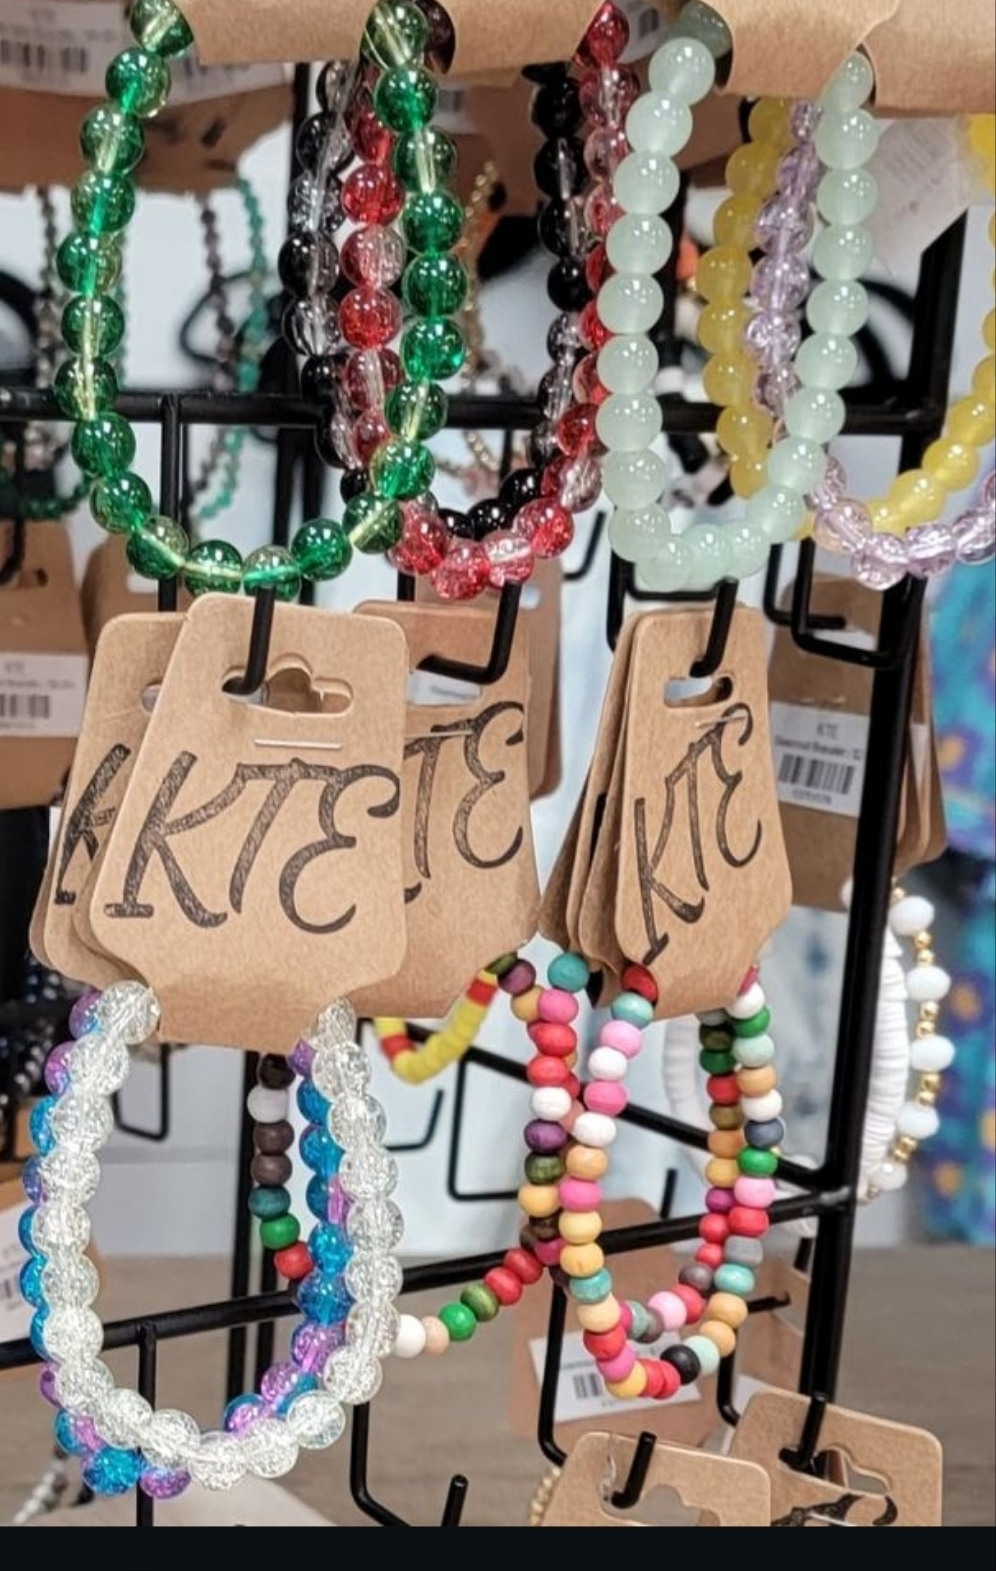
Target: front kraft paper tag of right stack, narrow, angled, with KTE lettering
{"x":703,"y":876}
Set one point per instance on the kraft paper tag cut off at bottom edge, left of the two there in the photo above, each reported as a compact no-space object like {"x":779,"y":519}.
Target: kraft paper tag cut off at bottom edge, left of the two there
{"x":719,"y":1492}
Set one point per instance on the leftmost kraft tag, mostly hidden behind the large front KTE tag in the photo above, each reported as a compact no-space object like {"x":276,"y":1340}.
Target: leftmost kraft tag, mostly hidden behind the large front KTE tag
{"x":130,"y":665}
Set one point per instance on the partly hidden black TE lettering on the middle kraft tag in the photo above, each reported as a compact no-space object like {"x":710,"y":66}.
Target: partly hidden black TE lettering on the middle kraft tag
{"x":428,"y":750}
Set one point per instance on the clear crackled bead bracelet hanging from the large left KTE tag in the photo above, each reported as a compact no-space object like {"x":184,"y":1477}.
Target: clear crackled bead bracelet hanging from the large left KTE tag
{"x":335,"y":1353}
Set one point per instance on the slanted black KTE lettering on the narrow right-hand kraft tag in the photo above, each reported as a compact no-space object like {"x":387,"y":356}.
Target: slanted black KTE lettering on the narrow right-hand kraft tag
{"x":689,"y":774}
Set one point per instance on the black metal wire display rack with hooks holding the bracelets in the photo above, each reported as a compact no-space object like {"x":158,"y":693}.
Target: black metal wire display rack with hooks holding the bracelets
{"x":914,"y":411}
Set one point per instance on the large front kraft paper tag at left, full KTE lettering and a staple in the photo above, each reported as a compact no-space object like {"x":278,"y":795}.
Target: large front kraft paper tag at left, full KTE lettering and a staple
{"x":255,"y":868}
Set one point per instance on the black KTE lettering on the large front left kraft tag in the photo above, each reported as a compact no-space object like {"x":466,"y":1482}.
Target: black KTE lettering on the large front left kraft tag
{"x":159,"y":835}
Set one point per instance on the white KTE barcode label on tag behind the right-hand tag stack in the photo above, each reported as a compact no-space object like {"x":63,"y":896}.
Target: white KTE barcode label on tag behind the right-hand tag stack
{"x":819,"y":758}
